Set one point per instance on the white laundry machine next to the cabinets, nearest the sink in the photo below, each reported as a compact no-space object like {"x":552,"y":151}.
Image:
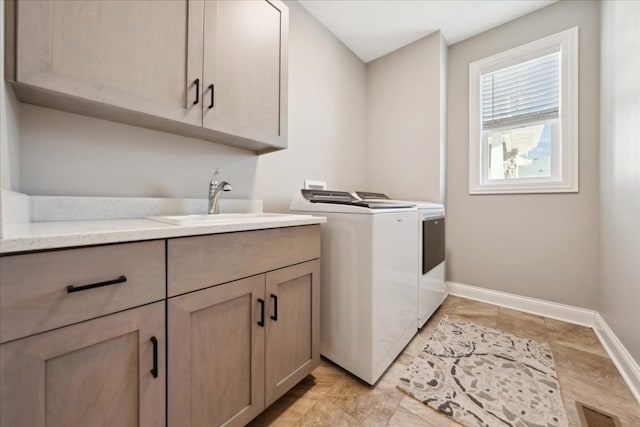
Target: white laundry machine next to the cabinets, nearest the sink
{"x":369,"y":279}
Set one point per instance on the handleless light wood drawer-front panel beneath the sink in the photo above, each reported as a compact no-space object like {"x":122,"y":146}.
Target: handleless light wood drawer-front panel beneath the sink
{"x":201,"y":261}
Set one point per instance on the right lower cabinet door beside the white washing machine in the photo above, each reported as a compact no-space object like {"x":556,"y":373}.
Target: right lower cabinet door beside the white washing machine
{"x":293,"y":326}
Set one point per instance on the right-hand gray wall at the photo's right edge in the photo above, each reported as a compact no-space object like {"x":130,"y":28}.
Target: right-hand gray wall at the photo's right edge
{"x":619,"y":301}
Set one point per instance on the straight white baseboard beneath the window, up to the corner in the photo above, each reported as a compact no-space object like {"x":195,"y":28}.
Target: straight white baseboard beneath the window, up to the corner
{"x":566,"y":313}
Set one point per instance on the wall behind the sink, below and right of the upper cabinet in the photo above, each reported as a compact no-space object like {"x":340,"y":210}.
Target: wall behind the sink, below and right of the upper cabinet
{"x":67,"y":154}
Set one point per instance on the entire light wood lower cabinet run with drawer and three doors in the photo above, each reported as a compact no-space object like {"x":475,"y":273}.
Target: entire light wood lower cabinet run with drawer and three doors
{"x":241,"y":312}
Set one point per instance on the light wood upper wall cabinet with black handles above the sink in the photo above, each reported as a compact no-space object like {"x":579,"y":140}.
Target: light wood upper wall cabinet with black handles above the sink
{"x":216,"y":70}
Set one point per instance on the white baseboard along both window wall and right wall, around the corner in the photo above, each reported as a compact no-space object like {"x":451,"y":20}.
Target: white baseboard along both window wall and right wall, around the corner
{"x":627,"y":366}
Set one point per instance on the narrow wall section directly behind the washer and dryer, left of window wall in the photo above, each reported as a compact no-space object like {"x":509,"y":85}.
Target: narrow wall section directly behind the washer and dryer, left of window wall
{"x":406,"y":91}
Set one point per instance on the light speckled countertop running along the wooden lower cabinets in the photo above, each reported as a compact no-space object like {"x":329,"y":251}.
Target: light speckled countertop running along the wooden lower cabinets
{"x":63,"y":234}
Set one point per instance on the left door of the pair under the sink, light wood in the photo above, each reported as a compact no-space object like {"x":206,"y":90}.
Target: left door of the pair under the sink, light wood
{"x":216,"y":355}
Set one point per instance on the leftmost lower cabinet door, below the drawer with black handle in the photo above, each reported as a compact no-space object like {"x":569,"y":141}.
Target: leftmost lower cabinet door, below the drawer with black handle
{"x":95,"y":373}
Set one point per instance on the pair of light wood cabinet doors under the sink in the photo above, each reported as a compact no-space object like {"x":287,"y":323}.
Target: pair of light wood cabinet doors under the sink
{"x":237,"y":347}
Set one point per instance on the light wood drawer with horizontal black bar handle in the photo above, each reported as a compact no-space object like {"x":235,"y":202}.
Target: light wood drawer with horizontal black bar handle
{"x":33,"y":287}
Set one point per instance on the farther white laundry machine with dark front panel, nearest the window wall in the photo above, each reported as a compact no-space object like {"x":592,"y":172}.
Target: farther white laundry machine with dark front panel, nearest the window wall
{"x":431,"y":254}
